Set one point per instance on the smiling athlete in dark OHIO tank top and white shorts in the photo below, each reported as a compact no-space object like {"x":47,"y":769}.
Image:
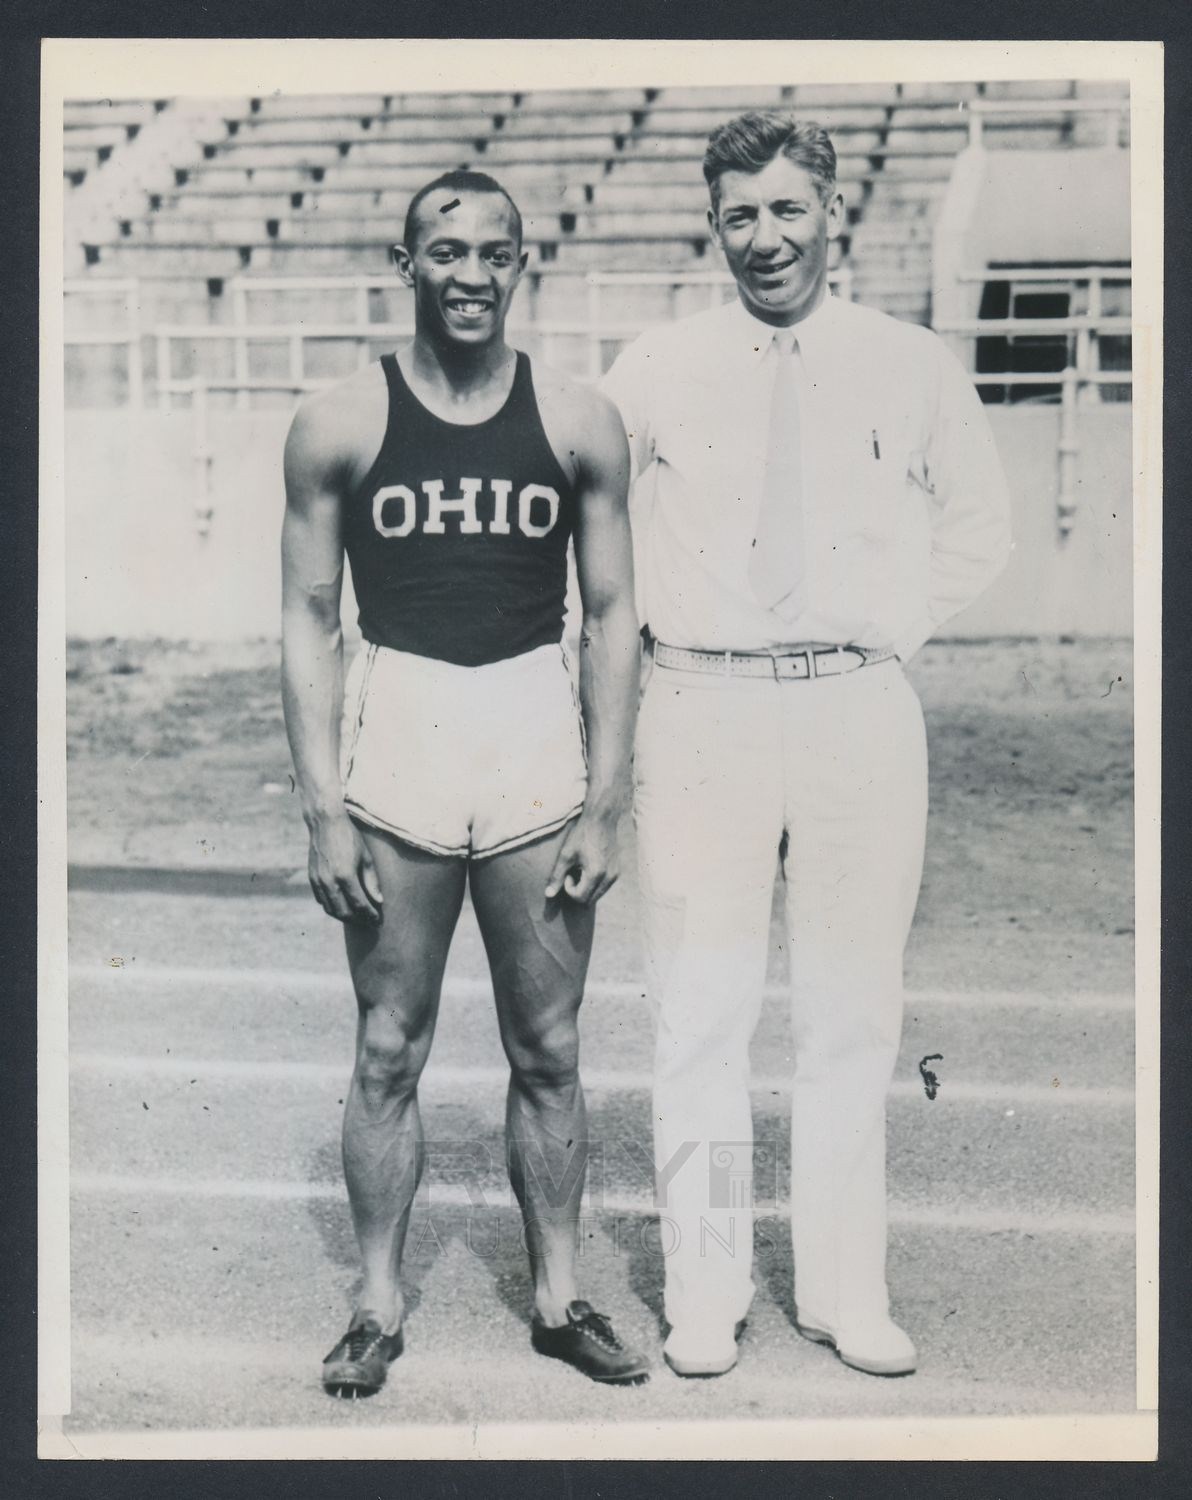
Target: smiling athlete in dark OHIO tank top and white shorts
{"x":458,"y":533}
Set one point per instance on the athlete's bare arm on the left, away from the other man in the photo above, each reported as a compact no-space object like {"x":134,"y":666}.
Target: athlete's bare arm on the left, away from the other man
{"x":328,"y":443}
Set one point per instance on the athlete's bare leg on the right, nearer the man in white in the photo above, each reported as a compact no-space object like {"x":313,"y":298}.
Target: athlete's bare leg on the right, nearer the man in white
{"x":539,"y":956}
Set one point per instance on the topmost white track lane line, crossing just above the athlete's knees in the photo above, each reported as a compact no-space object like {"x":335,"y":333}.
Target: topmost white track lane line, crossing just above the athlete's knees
{"x":466,"y":989}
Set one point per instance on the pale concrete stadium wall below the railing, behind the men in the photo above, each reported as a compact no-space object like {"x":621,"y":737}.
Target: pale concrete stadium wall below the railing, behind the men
{"x":137,"y":565}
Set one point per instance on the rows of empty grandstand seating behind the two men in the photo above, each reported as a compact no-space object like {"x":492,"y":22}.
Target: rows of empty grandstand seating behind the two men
{"x":608,"y":181}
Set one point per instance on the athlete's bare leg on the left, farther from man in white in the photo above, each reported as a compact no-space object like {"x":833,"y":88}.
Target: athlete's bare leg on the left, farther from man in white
{"x":398,"y":974}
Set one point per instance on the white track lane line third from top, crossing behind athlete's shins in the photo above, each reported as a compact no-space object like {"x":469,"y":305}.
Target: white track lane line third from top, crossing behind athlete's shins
{"x":455,"y":1196}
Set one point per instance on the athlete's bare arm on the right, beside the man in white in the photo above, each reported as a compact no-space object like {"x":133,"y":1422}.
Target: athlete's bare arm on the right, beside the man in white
{"x":597,"y":454}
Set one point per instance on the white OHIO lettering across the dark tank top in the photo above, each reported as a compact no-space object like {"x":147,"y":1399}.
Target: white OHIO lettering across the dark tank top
{"x":479,"y":508}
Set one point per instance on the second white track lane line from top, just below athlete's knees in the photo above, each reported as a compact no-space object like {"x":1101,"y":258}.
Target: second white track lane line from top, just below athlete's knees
{"x":463,"y":1079}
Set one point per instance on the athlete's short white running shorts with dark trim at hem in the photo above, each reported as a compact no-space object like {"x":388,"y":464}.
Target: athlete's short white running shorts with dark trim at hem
{"x":464,"y":761}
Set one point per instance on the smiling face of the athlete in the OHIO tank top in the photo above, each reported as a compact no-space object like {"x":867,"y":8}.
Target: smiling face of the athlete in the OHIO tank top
{"x":464,"y":265}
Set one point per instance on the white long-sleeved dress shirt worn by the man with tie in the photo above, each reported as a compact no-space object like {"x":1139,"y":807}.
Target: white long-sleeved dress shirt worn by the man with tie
{"x":906,"y":517}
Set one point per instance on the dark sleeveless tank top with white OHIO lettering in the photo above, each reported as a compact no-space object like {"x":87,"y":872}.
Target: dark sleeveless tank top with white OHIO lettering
{"x":458,"y":535}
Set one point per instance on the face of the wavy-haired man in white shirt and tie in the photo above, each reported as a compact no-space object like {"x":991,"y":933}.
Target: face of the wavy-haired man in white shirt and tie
{"x":774,"y":232}
